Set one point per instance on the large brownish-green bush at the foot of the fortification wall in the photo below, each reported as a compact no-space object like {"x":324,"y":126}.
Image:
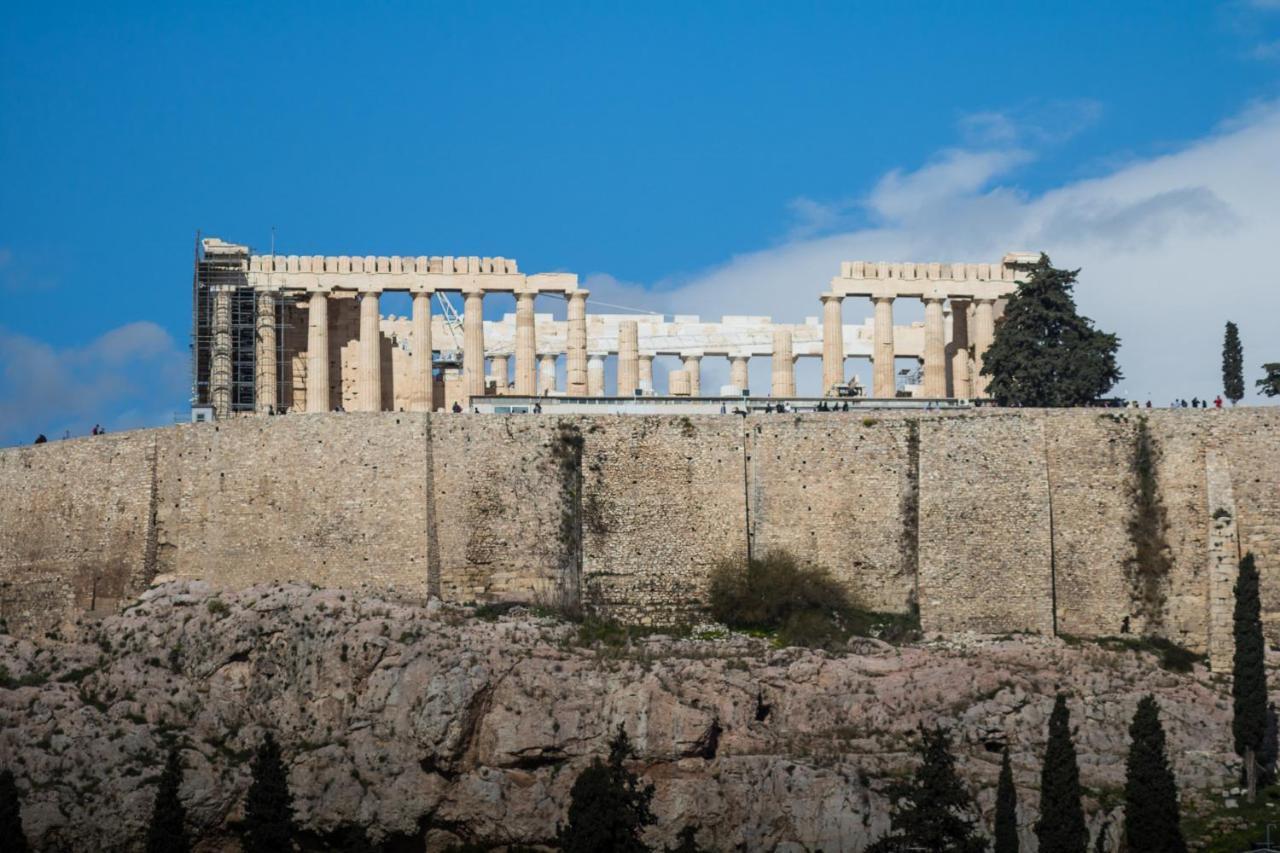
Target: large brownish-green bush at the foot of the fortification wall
{"x":799,"y":605}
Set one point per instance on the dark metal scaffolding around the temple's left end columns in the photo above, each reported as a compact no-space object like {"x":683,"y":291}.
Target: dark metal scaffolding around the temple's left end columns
{"x":225,"y":331}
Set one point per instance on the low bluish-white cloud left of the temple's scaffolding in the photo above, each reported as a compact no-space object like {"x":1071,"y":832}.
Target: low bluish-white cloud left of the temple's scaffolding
{"x":132,"y":376}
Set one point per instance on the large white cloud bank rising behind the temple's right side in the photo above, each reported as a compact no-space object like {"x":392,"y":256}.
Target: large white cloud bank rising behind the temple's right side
{"x":1172,"y":248}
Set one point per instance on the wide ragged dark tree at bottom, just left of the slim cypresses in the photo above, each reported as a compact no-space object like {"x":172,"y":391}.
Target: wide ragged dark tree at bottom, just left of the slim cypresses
{"x":932,"y":811}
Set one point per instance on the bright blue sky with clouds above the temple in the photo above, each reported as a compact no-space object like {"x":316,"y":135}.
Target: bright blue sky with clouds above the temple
{"x":669,"y":153}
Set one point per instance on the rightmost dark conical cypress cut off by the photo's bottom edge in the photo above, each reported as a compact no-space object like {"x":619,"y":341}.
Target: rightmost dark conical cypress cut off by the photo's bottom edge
{"x":1151,"y":818}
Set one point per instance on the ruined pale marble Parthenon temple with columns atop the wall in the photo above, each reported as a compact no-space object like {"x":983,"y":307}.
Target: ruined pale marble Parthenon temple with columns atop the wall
{"x":276,"y":334}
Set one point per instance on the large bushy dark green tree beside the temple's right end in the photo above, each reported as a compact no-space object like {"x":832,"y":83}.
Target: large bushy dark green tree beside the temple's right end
{"x":1045,"y":354}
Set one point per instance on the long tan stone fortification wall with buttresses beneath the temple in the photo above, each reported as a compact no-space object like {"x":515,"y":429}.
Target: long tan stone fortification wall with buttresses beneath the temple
{"x":995,"y":521}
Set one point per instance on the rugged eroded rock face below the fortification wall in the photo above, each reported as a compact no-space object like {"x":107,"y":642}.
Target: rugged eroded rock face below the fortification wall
{"x":431,"y":724}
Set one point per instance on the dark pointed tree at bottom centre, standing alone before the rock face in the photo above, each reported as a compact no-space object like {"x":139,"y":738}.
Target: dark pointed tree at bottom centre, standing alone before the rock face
{"x":609,"y":806}
